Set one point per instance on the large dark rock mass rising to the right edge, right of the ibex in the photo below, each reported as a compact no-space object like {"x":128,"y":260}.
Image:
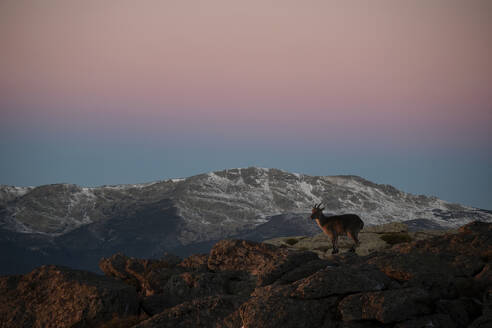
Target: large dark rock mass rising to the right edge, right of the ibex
{"x":450,"y":265}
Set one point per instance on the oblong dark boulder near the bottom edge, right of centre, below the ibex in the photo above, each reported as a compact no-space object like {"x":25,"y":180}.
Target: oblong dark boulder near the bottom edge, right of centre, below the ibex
{"x":385,"y":306}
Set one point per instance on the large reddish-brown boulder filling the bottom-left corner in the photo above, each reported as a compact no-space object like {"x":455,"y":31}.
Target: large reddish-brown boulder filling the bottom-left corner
{"x":52,"y":296}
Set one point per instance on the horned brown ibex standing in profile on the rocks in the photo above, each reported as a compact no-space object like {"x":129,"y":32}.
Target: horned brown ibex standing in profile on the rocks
{"x":334,"y":226}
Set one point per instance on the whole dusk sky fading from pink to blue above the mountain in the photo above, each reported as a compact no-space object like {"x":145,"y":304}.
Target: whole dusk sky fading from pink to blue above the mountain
{"x":120,"y":91}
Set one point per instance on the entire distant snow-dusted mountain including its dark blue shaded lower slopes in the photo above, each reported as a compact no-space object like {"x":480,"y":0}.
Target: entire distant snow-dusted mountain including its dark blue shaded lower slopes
{"x":71,"y":225}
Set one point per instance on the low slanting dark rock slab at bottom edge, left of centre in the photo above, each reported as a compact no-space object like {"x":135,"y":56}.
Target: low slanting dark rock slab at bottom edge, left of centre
{"x":202,"y":312}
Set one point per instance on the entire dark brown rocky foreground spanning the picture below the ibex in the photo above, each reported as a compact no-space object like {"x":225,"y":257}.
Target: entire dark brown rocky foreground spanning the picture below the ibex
{"x":440,"y":281}
